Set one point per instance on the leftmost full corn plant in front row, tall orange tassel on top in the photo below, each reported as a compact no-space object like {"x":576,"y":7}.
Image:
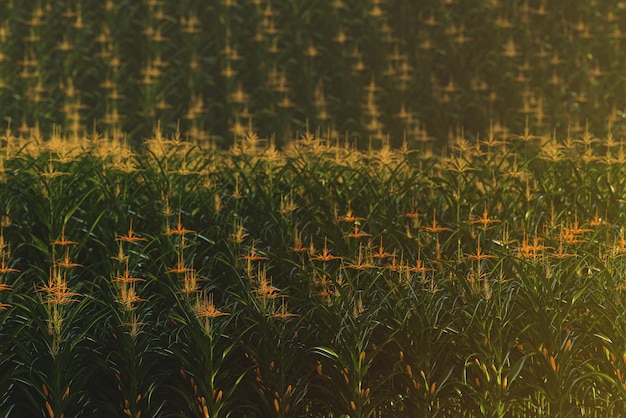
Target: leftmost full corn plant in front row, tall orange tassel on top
{"x":55,"y":341}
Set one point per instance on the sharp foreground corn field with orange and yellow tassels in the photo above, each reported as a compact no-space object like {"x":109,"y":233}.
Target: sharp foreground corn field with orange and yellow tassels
{"x":318,"y":281}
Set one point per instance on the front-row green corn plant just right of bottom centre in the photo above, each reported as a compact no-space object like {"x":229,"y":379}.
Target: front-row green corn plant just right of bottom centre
{"x":350,"y":354}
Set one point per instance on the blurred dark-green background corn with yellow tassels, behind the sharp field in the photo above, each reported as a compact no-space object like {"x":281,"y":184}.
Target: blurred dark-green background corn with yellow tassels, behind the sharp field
{"x":355,"y":68}
